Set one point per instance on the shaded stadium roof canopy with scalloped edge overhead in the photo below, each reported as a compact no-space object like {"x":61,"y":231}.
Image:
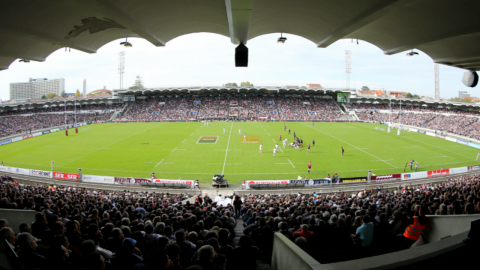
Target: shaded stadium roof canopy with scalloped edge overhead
{"x":448,"y":31}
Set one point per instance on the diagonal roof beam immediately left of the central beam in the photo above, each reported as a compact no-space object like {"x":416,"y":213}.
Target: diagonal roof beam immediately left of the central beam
{"x":112,"y":12}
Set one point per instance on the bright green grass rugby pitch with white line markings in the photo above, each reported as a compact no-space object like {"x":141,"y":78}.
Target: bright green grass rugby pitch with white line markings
{"x":173,"y":150}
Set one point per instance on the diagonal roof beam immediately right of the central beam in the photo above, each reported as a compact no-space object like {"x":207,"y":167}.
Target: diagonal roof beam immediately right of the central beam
{"x":373,"y":13}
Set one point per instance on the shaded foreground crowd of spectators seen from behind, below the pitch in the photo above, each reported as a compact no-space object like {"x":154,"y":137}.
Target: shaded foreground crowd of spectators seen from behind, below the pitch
{"x":77,"y":228}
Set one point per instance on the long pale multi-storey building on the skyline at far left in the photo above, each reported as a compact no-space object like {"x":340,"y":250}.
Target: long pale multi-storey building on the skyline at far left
{"x":36,"y":88}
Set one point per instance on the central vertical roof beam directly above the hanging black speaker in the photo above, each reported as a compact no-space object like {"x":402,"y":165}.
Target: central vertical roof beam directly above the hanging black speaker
{"x":238,"y":17}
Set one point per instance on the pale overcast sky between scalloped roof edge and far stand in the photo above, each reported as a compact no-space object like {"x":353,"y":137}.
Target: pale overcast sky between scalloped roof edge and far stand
{"x":208,"y":60}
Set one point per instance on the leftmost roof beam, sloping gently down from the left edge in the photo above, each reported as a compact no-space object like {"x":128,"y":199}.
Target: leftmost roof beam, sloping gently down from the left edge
{"x":28,"y":33}
